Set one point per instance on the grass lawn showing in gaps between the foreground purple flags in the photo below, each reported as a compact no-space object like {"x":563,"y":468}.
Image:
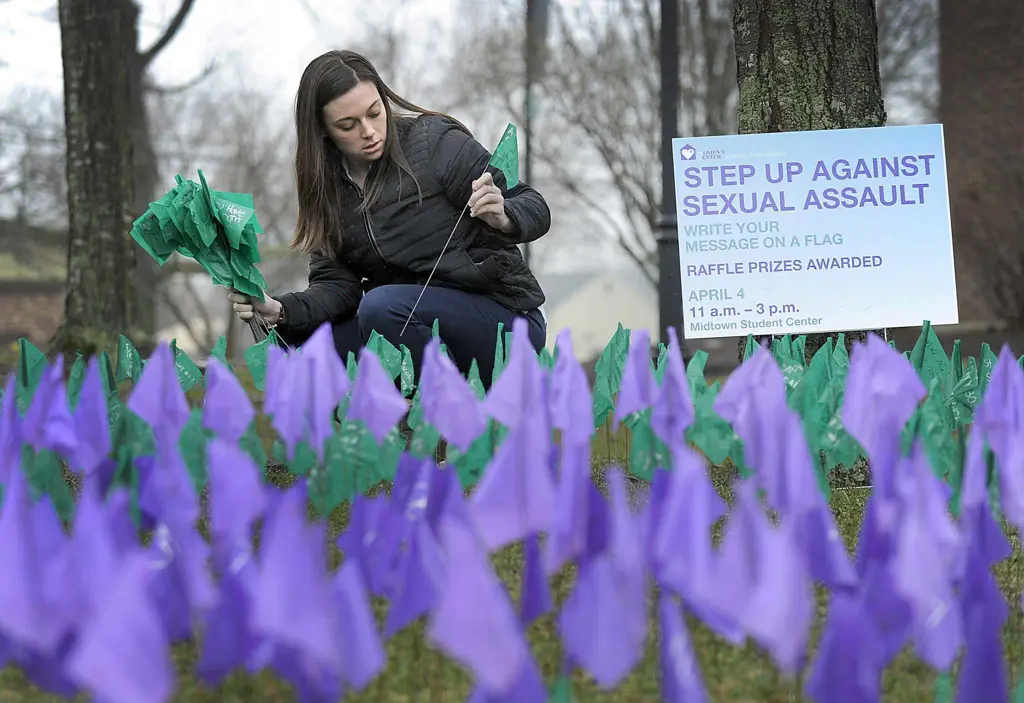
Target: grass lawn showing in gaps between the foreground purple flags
{"x":416,"y":673}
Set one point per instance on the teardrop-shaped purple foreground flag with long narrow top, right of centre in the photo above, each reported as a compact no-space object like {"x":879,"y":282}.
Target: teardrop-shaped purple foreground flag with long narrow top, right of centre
{"x":605,"y":621}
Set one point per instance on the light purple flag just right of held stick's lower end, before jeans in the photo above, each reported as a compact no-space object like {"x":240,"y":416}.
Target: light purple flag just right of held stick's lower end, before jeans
{"x":449,"y":404}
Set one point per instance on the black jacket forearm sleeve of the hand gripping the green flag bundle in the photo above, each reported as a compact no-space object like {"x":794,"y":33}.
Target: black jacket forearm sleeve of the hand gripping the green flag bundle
{"x":334,"y":294}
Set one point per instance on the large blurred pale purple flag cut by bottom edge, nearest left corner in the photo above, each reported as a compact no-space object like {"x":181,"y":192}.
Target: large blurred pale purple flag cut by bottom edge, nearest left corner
{"x":122,"y":655}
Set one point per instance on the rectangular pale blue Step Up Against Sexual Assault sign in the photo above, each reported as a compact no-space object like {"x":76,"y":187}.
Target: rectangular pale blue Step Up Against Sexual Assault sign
{"x":801,"y":233}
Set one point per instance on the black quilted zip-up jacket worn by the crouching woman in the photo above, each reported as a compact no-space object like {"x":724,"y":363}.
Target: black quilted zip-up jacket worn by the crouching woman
{"x":399,"y":241}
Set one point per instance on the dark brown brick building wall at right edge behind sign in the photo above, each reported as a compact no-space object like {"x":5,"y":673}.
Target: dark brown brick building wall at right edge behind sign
{"x":983,"y":101}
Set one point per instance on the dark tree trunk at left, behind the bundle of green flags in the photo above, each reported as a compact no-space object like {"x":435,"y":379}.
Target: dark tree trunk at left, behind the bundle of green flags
{"x":98,"y":40}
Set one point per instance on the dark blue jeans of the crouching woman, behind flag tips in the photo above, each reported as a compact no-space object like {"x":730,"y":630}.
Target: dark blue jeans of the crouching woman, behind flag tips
{"x":468,"y":325}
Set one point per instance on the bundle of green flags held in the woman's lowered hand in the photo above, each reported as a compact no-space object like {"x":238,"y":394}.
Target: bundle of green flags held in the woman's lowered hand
{"x":216,"y":229}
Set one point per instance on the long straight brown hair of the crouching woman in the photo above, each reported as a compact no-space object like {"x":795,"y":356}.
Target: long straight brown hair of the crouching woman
{"x":318,"y":164}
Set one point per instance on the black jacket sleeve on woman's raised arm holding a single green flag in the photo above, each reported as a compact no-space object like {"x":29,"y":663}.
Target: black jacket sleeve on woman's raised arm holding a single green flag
{"x":459,"y":160}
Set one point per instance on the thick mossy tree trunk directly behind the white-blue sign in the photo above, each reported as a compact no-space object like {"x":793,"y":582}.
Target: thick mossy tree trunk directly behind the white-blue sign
{"x":807,"y":65}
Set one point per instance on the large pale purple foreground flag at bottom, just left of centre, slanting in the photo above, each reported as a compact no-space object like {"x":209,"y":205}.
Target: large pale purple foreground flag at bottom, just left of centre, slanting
{"x":474,"y":621}
